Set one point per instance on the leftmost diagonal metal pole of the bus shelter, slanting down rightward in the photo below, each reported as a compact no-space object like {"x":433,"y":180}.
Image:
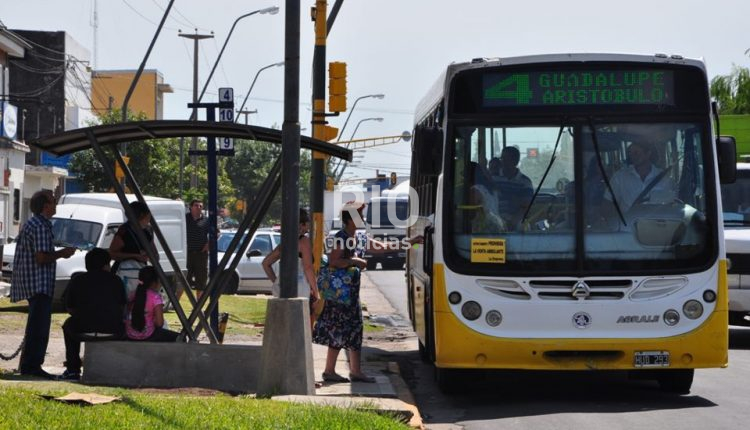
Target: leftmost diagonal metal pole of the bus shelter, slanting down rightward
{"x":132,"y":219}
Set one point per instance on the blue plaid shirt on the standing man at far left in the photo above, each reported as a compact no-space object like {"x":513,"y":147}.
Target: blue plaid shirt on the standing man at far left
{"x":30,"y":278}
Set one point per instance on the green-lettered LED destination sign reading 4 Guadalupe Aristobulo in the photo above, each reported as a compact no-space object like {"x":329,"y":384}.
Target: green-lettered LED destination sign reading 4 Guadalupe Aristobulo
{"x":621,"y":87}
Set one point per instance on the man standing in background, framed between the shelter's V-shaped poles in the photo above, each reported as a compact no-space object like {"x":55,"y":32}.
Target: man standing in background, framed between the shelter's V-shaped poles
{"x":197,"y":241}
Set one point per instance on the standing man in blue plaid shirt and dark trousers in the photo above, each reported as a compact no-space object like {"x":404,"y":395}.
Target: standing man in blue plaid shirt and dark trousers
{"x":34,"y":280}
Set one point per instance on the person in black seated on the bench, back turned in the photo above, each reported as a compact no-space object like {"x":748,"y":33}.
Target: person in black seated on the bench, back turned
{"x":96,"y":303}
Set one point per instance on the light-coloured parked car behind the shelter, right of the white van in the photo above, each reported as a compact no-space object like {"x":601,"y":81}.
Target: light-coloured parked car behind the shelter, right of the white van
{"x":249,"y":276}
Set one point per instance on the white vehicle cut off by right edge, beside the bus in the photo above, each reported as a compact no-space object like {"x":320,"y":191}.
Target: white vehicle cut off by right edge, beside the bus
{"x":735,"y":201}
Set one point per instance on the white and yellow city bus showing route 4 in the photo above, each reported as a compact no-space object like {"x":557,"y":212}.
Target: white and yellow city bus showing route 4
{"x":609,"y":255}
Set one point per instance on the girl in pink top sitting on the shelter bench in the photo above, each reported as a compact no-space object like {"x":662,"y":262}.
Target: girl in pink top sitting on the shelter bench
{"x":145,"y":317}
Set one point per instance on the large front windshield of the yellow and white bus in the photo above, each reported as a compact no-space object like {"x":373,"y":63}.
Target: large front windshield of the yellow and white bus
{"x":579,"y":195}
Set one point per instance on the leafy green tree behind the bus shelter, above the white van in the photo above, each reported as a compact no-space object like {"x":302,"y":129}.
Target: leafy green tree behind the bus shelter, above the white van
{"x":154,"y":165}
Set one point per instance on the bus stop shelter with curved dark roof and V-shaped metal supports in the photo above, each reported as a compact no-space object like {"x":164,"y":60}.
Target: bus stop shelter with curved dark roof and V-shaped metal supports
{"x":99,"y":137}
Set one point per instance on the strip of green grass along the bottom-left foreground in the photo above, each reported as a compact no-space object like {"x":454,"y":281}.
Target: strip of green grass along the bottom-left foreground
{"x":24,"y":408}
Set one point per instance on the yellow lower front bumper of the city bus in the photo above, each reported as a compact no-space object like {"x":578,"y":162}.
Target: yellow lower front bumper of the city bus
{"x":459,"y":347}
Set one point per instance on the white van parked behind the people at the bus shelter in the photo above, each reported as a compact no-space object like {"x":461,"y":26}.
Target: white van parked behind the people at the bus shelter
{"x":90,"y":220}
